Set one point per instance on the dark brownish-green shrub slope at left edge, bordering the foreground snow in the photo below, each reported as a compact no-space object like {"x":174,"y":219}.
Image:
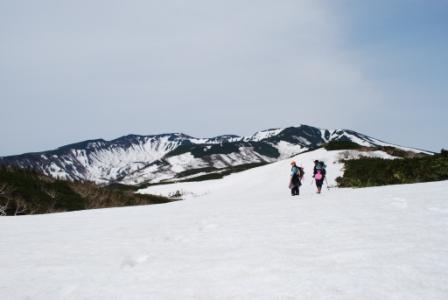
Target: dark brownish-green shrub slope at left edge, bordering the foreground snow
{"x":28,"y":192}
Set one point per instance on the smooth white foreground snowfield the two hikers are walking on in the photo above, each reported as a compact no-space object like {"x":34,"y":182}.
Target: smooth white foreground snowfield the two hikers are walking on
{"x":246,"y":238}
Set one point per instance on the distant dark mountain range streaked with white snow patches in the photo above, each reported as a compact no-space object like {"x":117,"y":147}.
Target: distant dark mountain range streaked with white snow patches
{"x":136,"y":159}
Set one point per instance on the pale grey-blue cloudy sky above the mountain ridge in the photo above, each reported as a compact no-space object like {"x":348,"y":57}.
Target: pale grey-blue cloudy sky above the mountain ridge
{"x":78,"y":70}
